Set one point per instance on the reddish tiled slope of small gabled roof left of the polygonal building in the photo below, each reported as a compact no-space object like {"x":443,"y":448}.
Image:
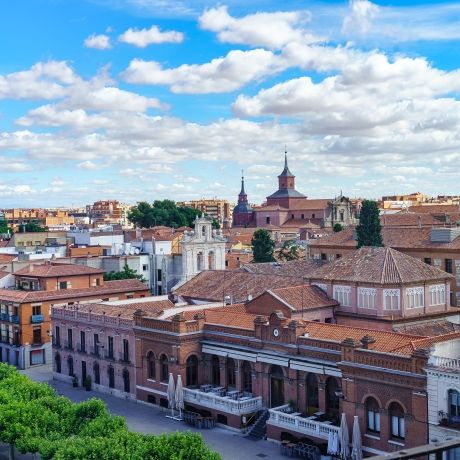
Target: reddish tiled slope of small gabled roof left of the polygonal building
{"x":303,"y":297}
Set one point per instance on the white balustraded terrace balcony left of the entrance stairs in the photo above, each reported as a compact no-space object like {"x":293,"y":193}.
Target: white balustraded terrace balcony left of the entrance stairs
{"x":245,"y":405}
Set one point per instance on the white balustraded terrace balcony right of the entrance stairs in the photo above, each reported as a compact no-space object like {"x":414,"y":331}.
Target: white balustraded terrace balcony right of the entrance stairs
{"x":309,"y":426}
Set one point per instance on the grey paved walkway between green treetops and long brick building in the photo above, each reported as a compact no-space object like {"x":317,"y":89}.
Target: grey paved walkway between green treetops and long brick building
{"x":150,"y":419}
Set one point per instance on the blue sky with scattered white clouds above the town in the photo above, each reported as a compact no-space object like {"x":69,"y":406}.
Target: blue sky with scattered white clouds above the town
{"x":139,"y":100}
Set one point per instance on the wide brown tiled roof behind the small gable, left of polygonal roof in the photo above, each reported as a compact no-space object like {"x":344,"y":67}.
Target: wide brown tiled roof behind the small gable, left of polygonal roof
{"x":214,"y":285}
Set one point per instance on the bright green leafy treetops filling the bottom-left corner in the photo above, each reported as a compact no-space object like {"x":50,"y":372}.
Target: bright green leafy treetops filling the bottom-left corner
{"x":34,"y":419}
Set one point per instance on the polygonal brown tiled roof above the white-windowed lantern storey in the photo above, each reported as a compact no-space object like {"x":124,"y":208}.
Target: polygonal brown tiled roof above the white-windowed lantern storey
{"x":379,"y":266}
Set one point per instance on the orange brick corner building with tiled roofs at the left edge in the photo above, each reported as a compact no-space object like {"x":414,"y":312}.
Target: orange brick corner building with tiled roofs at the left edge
{"x":25,"y":328}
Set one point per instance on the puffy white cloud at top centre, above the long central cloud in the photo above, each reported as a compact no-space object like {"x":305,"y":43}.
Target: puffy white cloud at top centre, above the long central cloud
{"x":271,"y":30}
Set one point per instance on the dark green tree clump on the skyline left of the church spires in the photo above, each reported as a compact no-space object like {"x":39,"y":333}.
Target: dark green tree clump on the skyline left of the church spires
{"x":162,"y":212}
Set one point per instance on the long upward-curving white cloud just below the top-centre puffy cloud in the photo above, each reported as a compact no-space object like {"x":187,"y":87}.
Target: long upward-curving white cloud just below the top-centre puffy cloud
{"x":222,"y":74}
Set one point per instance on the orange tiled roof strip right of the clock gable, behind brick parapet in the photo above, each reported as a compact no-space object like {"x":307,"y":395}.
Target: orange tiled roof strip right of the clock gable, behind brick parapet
{"x":384,"y":341}
